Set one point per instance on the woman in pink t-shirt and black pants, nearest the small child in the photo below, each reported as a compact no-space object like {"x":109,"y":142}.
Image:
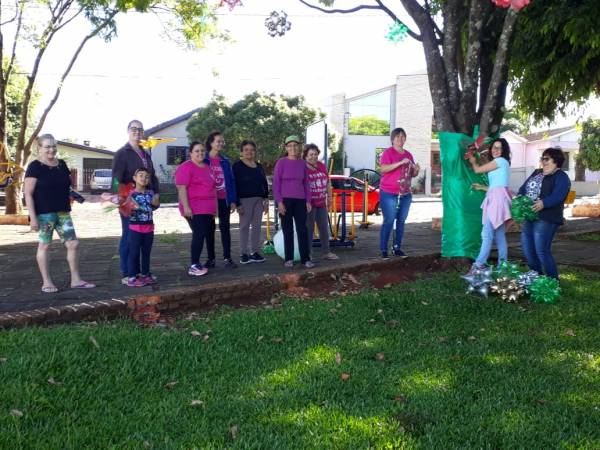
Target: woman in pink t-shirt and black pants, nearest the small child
{"x":197,"y":191}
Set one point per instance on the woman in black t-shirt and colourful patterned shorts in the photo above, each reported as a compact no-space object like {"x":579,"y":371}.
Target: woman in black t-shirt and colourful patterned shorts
{"x":47,"y":187}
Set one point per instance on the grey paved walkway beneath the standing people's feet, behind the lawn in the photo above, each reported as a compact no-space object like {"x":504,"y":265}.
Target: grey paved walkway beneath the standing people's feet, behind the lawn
{"x":20,"y":281}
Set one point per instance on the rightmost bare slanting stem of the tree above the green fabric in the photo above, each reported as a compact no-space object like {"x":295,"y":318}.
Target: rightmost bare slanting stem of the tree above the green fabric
{"x":498,"y":75}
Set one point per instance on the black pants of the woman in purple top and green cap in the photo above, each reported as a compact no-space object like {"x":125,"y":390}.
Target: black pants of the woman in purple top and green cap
{"x":295,"y":211}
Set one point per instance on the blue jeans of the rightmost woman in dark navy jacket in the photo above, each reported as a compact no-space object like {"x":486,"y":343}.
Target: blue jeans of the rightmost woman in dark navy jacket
{"x":536,"y":241}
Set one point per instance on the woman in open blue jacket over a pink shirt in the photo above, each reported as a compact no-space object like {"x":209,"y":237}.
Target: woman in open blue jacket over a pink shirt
{"x":220,"y":167}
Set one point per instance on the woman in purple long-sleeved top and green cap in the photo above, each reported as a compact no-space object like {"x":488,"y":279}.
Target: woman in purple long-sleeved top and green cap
{"x":292,"y":194}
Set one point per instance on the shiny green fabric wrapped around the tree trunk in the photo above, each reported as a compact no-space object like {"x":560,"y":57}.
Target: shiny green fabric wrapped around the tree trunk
{"x":461,"y":224}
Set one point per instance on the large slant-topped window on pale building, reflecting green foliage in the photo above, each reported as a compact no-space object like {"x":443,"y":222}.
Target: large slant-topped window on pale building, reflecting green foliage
{"x":370,"y":115}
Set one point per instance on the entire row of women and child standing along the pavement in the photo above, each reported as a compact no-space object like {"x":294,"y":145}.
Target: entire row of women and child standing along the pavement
{"x":210,"y":187}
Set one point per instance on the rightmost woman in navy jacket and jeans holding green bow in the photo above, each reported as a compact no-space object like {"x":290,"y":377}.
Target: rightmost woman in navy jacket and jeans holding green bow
{"x":548,"y":187}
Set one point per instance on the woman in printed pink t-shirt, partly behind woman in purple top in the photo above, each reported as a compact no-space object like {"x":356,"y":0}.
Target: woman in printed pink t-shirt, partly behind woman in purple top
{"x":320,"y":198}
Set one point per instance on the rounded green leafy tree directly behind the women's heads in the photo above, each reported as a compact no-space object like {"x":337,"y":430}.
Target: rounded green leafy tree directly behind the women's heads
{"x":265,"y":119}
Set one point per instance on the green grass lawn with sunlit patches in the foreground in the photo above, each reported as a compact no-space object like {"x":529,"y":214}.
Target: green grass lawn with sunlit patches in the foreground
{"x":428,"y":367}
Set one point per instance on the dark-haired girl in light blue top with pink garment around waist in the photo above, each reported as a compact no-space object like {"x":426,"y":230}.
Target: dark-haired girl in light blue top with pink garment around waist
{"x":496,"y":205}
